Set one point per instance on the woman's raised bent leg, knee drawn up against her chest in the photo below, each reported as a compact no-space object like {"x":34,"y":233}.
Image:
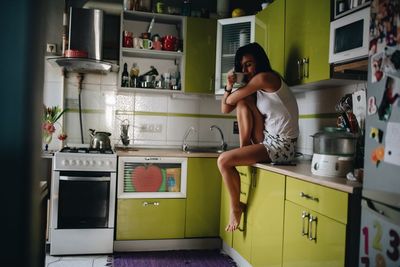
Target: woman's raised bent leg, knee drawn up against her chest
{"x":250,"y":121}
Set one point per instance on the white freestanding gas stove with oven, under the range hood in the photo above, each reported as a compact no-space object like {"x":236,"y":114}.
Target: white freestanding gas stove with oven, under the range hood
{"x":83,"y":202}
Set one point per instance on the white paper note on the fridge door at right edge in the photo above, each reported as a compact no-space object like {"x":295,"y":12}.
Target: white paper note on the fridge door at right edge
{"x":392,"y":139}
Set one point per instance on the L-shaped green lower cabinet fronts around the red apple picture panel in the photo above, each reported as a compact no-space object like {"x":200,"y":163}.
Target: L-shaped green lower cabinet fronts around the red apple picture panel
{"x":197,"y":215}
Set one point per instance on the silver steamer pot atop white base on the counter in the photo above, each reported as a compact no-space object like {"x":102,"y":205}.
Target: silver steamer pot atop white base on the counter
{"x":334,"y":141}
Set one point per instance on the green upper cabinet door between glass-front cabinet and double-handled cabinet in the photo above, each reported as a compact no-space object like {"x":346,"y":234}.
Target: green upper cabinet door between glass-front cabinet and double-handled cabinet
{"x":270,"y":33}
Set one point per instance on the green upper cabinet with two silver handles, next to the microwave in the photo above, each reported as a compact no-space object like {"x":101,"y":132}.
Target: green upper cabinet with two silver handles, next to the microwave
{"x":307,"y":41}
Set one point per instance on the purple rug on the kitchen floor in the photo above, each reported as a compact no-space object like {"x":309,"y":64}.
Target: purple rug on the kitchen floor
{"x":173,"y":258}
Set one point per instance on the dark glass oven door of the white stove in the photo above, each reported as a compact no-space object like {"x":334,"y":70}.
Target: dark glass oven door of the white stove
{"x":84,"y":200}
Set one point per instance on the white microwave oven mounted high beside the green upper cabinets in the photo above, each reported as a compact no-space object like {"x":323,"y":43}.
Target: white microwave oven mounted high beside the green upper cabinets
{"x":349,"y":37}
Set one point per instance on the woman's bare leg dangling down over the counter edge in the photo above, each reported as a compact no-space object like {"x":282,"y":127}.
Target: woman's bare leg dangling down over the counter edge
{"x":226,"y":163}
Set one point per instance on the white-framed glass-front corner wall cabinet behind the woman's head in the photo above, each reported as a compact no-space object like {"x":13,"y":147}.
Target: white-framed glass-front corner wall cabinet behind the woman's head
{"x":231,"y":34}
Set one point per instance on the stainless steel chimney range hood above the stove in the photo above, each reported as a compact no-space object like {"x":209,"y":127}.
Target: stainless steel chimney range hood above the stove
{"x":86,"y":35}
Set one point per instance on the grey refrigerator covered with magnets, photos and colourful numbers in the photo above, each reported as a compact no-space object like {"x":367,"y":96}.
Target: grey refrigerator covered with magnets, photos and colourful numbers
{"x":380,"y":205}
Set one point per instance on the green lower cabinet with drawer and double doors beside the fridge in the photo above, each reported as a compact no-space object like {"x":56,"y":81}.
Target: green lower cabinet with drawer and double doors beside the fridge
{"x":315,"y":225}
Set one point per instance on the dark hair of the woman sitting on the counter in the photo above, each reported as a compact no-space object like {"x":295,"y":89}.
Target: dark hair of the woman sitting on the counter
{"x":256,"y":50}
